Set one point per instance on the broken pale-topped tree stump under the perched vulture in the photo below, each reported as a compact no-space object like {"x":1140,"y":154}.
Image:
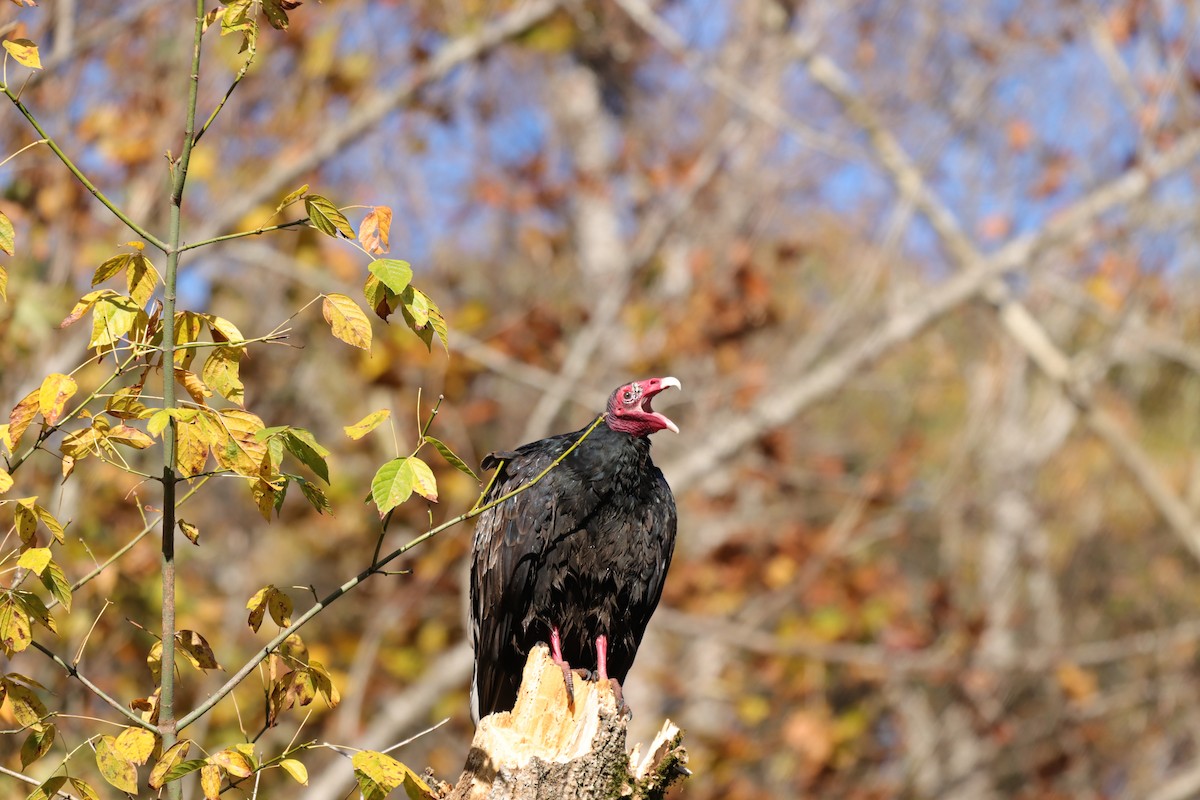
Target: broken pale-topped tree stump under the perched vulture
{"x":548,"y":748}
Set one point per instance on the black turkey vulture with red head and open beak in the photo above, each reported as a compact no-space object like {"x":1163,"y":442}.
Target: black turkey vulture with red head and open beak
{"x":579,"y":560}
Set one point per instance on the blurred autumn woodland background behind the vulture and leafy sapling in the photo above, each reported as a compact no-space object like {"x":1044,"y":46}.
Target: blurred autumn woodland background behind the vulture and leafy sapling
{"x":927,"y":272}
